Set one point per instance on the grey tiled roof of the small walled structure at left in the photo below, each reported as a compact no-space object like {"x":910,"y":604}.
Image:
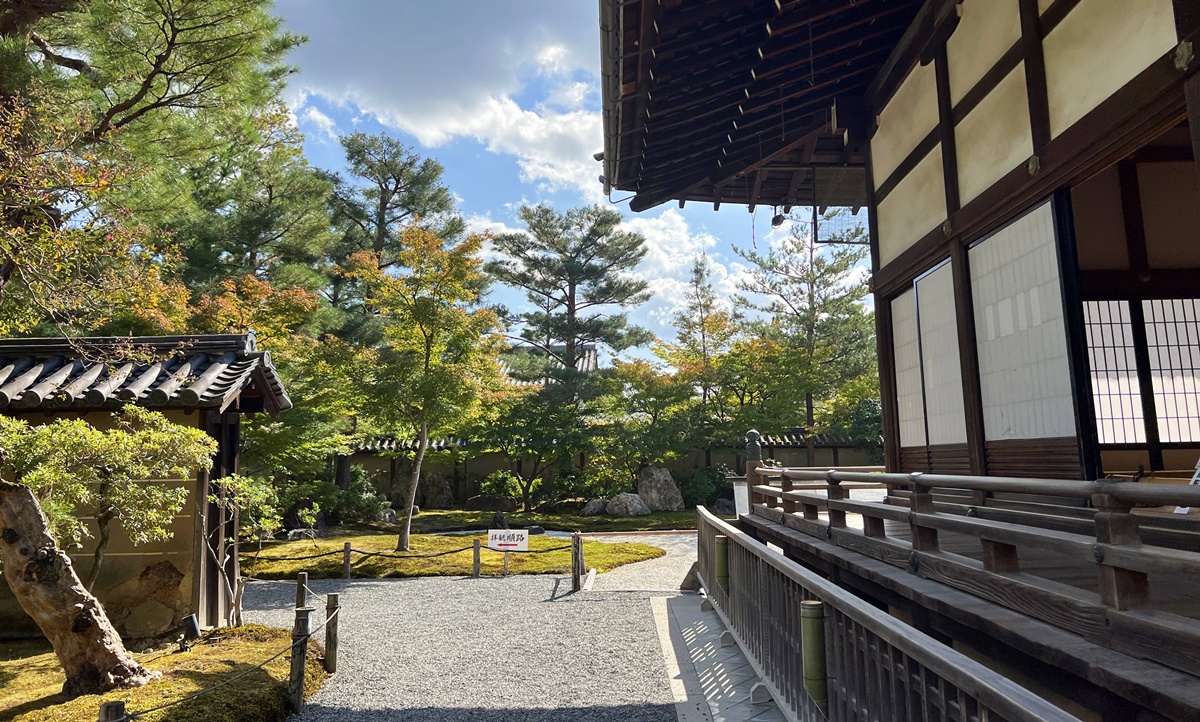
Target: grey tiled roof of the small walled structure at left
{"x":199,"y":372}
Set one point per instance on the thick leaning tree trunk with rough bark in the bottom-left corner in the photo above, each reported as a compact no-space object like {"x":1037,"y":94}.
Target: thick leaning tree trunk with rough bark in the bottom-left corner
{"x":43,"y":580}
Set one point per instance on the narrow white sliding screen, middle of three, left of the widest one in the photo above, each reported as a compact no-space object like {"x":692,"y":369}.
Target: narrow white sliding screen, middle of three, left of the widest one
{"x":946,"y":418}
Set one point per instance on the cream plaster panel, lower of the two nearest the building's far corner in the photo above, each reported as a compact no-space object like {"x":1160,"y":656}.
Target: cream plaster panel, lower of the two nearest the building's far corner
{"x":914,"y":208}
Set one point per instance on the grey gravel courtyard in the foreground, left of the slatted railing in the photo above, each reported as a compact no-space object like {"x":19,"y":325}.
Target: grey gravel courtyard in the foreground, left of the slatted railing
{"x":455,"y":649}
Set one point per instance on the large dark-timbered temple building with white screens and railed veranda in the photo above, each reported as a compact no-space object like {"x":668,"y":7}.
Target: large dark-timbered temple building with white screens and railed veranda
{"x":1030,"y":171}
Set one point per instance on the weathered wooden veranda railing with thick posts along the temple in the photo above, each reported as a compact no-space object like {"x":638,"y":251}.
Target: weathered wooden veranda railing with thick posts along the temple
{"x":1121,"y":615}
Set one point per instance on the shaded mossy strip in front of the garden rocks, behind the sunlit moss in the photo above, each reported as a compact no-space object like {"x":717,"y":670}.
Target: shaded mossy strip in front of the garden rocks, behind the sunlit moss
{"x":437,"y":520}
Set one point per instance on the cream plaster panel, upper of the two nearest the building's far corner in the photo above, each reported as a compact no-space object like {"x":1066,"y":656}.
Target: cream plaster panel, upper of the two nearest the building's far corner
{"x":908,"y":118}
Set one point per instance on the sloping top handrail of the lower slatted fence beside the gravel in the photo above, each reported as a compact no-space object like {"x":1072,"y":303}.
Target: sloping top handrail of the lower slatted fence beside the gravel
{"x":991,"y":689}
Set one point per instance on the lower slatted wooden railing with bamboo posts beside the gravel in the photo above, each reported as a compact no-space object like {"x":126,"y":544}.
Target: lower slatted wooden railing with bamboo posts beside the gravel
{"x":877,"y":667}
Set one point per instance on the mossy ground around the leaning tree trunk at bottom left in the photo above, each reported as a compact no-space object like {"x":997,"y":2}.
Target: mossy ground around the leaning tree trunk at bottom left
{"x":31,"y":681}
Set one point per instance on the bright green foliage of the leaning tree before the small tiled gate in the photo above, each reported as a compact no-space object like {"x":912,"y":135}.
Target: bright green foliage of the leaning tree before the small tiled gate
{"x":73,"y":466}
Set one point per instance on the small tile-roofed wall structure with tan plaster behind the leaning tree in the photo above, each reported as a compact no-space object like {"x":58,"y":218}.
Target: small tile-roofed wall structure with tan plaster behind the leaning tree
{"x":206,"y":382}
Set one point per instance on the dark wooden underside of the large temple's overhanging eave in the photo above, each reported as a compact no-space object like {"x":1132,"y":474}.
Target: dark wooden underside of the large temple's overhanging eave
{"x":735,"y":103}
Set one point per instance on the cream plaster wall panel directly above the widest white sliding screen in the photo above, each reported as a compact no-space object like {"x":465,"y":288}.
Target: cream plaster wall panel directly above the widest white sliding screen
{"x":995,"y":137}
